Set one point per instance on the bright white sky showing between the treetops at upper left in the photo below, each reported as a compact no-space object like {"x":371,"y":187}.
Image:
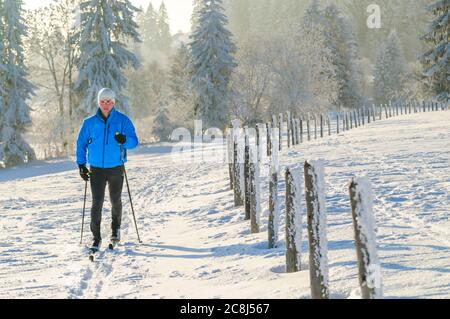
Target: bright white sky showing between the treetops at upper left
{"x":179,"y":11}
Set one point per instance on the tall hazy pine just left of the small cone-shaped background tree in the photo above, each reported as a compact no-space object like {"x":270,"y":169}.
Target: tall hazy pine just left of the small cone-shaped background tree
{"x":341,"y":40}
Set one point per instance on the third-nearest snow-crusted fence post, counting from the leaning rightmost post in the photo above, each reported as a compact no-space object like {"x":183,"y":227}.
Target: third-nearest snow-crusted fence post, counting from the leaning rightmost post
{"x":293,"y":220}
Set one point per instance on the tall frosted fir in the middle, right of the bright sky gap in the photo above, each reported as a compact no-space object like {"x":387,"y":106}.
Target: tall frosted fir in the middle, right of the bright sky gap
{"x":212,"y":64}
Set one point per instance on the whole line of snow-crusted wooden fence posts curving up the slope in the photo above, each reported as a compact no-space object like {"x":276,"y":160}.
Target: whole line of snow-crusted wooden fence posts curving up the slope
{"x":244,"y":173}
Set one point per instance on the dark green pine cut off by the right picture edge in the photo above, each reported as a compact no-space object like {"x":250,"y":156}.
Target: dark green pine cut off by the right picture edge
{"x":437,"y":60}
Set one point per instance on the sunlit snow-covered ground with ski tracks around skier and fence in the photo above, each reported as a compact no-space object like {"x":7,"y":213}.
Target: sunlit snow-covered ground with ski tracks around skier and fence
{"x":197,"y":245}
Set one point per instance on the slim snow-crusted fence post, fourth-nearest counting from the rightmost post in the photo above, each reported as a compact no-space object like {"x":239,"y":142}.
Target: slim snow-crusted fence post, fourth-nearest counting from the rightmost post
{"x":274,"y":208}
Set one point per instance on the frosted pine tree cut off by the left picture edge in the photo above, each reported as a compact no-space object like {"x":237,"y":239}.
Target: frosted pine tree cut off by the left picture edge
{"x":15,"y":89}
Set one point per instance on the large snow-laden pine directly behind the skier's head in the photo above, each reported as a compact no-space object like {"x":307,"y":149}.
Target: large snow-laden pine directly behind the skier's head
{"x":105,"y":27}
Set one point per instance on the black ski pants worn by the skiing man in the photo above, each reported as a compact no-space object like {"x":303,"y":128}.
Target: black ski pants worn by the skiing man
{"x":99,"y":178}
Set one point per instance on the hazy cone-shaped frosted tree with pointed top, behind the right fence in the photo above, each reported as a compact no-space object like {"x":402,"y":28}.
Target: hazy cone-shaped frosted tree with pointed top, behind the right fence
{"x":391,"y":71}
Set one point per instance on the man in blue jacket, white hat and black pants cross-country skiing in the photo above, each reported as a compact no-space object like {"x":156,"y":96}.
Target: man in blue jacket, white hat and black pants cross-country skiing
{"x":102,"y":138}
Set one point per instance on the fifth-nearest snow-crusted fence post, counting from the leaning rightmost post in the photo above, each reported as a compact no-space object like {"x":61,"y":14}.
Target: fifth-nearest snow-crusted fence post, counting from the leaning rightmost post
{"x":255,"y":193}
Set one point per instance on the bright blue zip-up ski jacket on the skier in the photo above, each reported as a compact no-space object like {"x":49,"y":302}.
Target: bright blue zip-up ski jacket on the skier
{"x":96,"y":138}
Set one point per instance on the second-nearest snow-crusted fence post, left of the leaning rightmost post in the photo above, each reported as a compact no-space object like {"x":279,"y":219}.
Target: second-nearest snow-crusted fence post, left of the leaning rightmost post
{"x":316,"y":216}
